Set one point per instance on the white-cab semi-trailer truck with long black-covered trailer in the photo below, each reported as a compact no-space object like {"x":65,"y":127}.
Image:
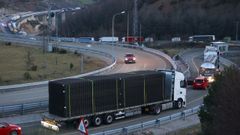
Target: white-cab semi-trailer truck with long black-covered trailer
{"x":105,"y":98}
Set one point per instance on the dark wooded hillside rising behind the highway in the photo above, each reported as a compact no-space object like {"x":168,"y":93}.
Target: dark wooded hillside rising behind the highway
{"x":160,"y":19}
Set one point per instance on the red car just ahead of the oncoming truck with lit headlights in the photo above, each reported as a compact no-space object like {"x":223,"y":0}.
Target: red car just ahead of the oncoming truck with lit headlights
{"x":200,"y":83}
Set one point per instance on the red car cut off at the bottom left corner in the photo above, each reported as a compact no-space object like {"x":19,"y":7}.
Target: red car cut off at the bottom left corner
{"x":10,"y":129}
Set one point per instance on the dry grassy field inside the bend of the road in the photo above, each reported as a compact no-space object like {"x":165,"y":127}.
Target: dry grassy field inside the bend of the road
{"x":49,"y":65}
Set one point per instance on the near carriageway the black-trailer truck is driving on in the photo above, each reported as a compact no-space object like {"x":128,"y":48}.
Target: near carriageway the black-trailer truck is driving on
{"x":194,"y":98}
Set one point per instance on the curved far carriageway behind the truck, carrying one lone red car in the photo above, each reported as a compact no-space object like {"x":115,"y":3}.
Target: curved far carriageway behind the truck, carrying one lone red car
{"x":145,"y":61}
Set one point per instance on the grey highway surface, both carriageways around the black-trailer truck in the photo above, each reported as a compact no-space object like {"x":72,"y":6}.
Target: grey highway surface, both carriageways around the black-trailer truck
{"x":145,"y":61}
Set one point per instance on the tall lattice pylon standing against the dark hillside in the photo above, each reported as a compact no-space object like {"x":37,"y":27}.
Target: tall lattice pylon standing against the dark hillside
{"x":135,"y":18}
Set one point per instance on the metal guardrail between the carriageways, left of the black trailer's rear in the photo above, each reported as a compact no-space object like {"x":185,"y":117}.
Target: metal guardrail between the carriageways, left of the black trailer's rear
{"x":21,"y":109}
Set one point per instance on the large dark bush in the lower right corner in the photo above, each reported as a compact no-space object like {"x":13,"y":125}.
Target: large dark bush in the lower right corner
{"x":220,"y":113}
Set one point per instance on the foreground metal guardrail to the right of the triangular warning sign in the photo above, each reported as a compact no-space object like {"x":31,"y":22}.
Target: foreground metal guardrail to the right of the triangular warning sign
{"x":150,"y":124}
